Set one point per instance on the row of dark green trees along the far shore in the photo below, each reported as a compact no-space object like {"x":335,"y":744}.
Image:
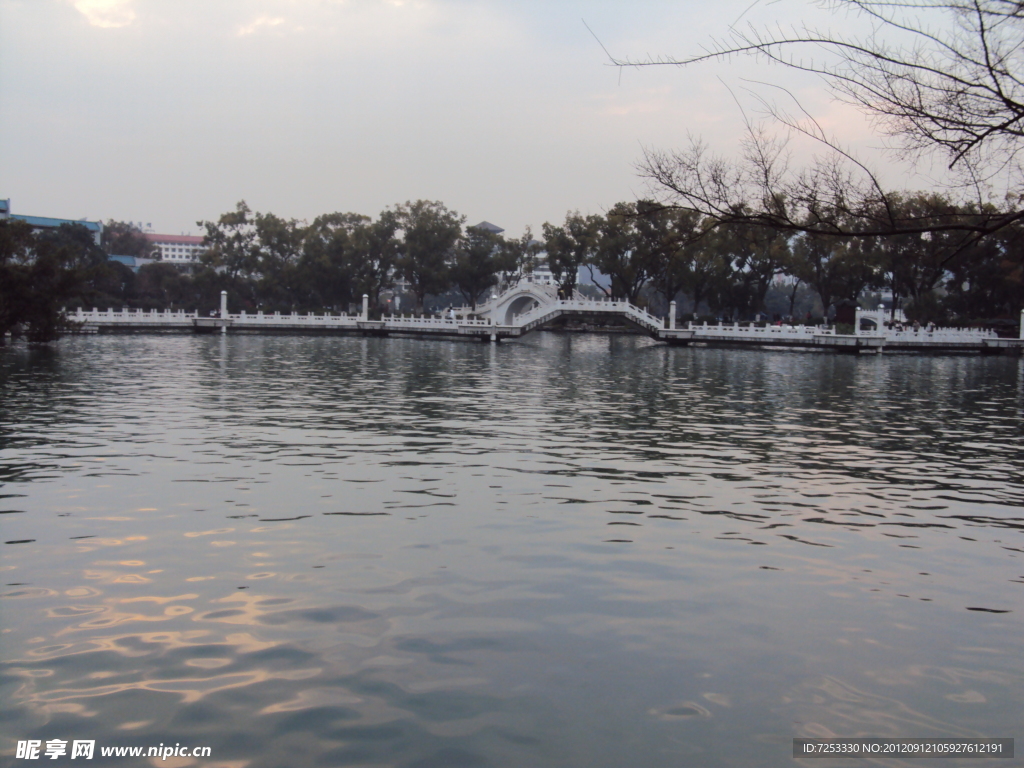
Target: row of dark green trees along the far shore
{"x":424,"y":255}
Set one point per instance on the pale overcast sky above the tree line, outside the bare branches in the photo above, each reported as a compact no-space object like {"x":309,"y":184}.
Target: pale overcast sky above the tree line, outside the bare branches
{"x":170,"y":112}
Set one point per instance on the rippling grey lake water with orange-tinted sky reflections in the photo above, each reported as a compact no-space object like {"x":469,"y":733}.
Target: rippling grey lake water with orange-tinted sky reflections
{"x":568,"y":551}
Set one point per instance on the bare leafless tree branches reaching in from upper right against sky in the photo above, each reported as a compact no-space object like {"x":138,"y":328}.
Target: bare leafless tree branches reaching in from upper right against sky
{"x":942,"y":79}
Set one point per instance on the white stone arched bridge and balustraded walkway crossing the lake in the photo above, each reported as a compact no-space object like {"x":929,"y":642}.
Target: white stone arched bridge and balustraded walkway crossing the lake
{"x":529,"y":307}
